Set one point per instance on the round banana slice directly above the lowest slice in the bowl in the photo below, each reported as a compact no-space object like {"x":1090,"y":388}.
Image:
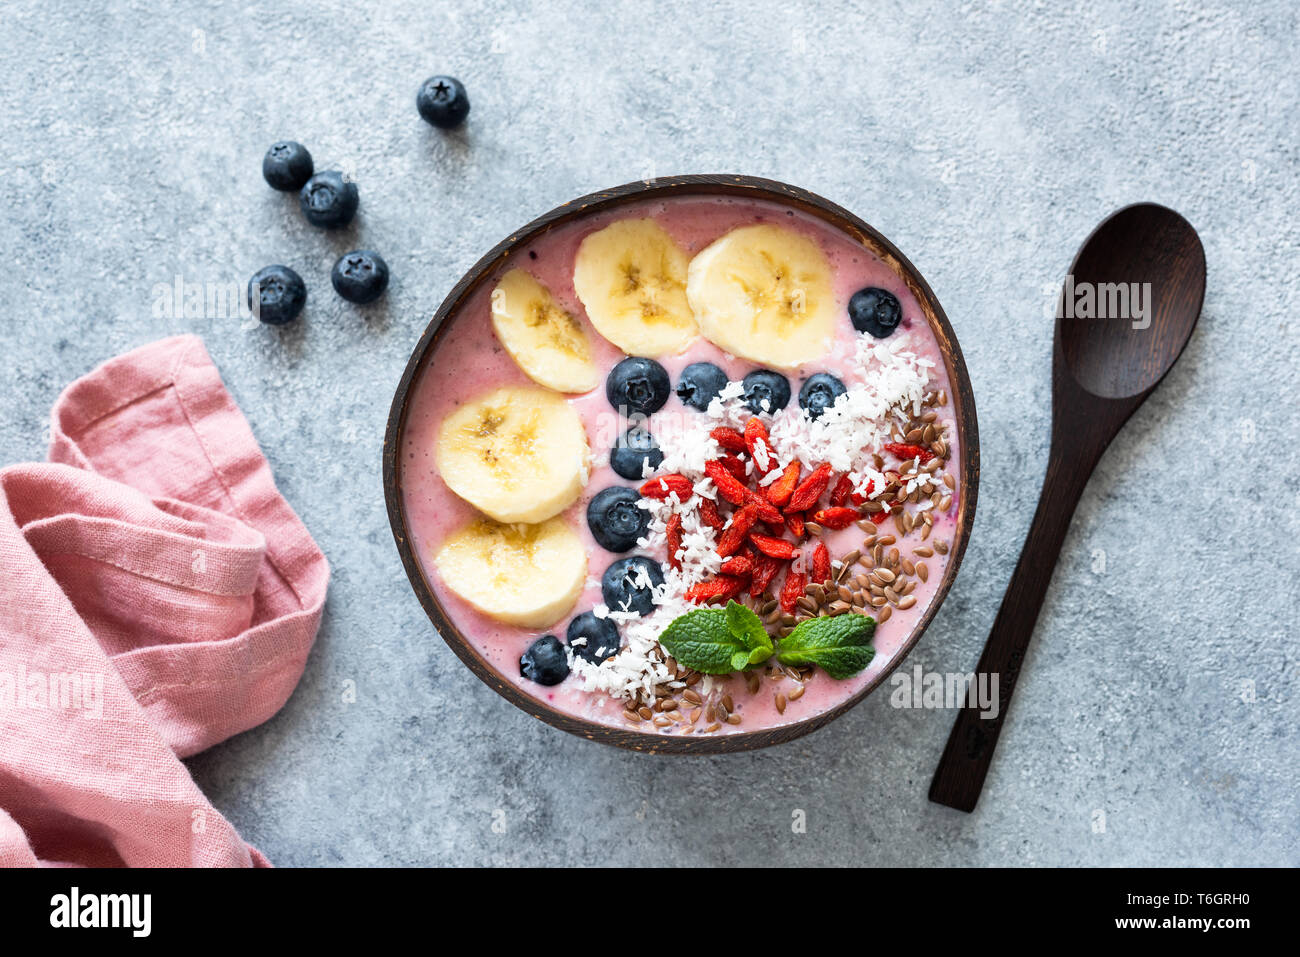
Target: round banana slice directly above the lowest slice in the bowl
{"x":518,"y":454}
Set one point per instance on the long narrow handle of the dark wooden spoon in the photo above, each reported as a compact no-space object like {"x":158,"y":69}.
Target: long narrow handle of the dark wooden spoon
{"x":961,"y":772}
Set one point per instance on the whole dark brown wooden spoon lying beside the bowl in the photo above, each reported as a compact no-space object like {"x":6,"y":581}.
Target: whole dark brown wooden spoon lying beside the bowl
{"x":1103,"y":370}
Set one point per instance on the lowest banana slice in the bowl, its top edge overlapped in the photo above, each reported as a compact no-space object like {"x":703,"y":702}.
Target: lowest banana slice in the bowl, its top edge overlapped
{"x":525,"y":575}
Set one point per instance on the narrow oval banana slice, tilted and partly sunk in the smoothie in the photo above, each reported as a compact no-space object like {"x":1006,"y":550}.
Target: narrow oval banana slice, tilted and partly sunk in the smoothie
{"x":545,"y":341}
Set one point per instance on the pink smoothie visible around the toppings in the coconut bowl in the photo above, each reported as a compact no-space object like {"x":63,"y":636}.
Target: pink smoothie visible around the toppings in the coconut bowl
{"x":470,"y":362}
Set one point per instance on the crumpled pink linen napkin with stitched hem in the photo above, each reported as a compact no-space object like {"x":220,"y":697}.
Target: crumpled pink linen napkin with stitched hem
{"x":158,"y":596}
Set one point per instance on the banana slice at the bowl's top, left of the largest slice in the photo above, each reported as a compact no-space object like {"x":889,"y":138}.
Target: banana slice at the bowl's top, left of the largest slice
{"x":632,"y":280}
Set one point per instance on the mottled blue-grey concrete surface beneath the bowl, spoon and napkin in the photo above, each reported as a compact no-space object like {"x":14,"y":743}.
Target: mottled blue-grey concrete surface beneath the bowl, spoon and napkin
{"x":986,"y":141}
